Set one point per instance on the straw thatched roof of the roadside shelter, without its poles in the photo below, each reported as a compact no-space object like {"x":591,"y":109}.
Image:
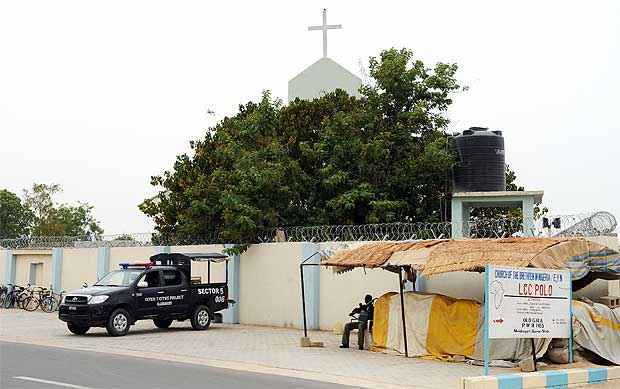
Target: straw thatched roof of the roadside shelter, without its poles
{"x":442,"y":256}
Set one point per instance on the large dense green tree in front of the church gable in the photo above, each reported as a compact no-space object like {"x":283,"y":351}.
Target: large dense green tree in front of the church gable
{"x":334,"y":160}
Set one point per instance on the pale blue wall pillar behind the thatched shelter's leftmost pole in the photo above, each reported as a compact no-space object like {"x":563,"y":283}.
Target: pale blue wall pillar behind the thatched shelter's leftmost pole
{"x":312,"y":278}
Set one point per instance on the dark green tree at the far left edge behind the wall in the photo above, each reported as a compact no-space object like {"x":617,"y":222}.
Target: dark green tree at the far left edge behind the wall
{"x":15,"y":217}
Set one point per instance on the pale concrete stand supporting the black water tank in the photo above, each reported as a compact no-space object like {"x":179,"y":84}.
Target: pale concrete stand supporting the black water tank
{"x":463,"y":202}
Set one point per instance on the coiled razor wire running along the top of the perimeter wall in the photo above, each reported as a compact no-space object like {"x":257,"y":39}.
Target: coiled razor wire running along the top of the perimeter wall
{"x":577,"y":225}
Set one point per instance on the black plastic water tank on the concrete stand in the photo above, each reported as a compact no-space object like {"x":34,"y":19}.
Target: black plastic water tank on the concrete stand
{"x":481,"y":164}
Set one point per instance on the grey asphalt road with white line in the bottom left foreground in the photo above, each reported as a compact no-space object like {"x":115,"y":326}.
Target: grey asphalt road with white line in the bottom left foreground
{"x":49,"y":367}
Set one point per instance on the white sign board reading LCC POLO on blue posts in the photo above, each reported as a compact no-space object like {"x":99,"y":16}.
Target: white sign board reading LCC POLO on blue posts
{"x":528,"y":303}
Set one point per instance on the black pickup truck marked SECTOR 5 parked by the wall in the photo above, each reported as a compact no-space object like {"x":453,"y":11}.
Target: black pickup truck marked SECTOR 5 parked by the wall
{"x":161,"y":289}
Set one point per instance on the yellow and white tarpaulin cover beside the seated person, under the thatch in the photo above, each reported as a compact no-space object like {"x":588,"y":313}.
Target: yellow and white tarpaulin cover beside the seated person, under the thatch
{"x":440,"y":327}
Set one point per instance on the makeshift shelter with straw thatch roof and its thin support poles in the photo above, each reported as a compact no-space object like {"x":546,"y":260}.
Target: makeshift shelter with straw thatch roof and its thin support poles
{"x":586,"y":260}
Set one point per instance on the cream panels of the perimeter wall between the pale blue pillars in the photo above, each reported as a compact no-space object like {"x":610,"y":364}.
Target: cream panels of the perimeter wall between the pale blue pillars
{"x":270,"y":292}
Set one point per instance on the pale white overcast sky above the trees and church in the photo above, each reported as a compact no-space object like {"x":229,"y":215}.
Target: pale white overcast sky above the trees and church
{"x":99,"y":96}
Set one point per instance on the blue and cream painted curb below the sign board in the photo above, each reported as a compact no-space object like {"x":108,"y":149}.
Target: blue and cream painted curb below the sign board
{"x":545,"y":379}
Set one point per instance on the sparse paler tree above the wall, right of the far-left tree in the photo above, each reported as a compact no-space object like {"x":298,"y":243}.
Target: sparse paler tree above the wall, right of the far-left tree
{"x":52,"y":219}
